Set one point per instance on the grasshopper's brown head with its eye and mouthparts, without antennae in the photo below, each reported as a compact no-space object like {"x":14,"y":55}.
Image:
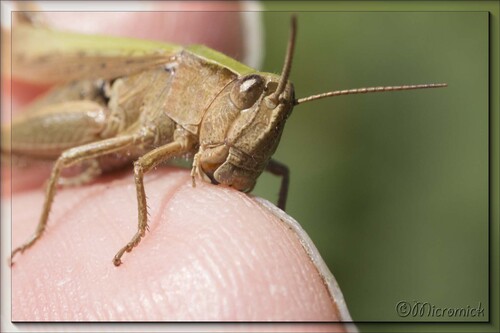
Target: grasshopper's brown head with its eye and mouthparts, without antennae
{"x":242,"y":129}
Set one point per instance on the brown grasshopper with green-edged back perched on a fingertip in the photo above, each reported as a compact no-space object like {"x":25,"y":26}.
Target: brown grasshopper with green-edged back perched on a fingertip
{"x":126,"y":103}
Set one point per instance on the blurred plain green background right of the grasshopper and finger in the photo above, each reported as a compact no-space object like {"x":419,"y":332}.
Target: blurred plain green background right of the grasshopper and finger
{"x":391,"y":187}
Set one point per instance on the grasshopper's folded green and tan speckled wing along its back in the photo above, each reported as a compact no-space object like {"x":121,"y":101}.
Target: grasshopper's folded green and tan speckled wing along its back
{"x":42,"y":55}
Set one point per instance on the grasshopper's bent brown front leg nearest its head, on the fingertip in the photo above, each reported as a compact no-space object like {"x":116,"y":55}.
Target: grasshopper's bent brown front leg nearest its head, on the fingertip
{"x":182,"y":143}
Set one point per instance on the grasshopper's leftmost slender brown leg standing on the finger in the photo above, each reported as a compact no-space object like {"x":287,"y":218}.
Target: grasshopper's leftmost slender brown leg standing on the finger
{"x":68,"y":158}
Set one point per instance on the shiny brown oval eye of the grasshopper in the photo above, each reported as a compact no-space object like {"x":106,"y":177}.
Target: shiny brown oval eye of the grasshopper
{"x":246,"y":91}
